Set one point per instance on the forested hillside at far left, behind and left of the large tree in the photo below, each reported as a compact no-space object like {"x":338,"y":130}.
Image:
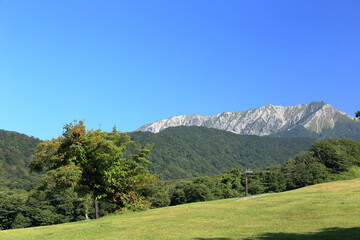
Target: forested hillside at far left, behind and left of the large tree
{"x":15,"y":154}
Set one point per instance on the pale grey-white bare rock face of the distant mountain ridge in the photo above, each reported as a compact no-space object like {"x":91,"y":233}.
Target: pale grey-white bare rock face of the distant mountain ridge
{"x":266,"y":120}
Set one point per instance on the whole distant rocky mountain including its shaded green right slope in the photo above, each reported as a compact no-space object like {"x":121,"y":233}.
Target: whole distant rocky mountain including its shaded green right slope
{"x":317,"y":119}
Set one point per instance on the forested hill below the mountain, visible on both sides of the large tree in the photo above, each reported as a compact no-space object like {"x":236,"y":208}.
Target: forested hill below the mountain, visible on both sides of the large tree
{"x":181,"y":152}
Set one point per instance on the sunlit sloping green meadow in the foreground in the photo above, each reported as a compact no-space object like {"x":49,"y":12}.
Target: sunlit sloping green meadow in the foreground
{"x":324,"y":211}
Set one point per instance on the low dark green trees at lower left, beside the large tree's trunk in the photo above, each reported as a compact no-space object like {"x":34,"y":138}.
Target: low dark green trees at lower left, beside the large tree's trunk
{"x":40,"y":207}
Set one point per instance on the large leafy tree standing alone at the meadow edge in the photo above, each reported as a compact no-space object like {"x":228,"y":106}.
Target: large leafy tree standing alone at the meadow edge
{"x":105,"y":165}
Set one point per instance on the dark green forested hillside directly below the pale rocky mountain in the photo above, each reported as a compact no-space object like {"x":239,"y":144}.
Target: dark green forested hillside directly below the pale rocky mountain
{"x":184,"y":152}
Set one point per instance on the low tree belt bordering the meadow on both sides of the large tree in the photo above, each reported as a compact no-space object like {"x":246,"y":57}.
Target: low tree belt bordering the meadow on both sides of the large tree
{"x":328,"y":160}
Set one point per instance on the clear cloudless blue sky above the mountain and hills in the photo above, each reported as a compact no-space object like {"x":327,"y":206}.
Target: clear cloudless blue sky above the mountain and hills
{"x":128,"y":63}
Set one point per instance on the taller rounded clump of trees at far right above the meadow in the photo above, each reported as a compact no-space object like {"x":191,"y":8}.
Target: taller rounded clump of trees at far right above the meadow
{"x":326,"y":160}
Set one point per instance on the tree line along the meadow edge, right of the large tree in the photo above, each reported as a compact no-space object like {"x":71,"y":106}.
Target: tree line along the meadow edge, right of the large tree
{"x":328,"y":160}
